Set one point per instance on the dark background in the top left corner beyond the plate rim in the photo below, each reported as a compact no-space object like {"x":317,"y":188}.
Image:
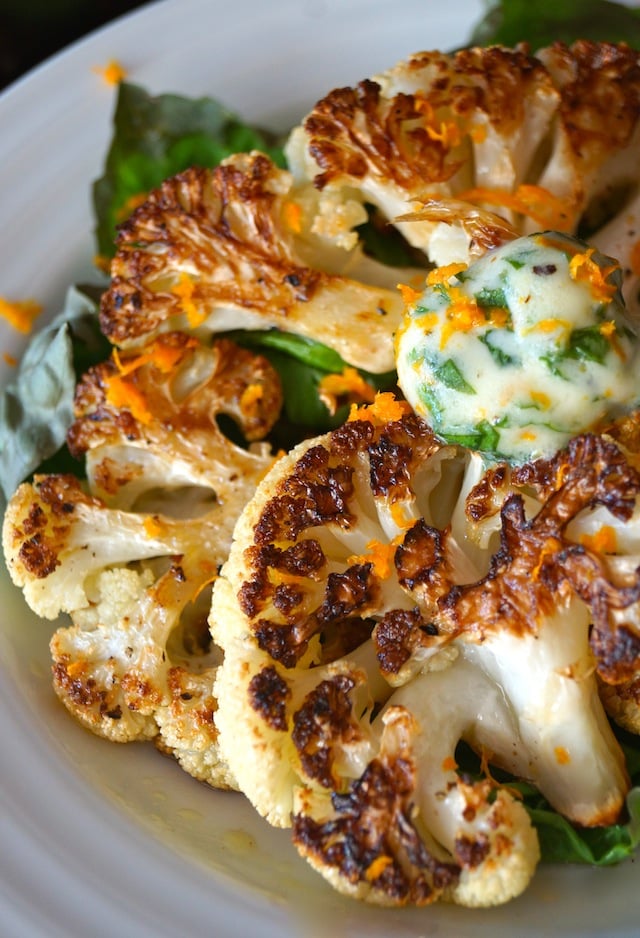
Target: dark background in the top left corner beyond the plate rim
{"x":32,"y":30}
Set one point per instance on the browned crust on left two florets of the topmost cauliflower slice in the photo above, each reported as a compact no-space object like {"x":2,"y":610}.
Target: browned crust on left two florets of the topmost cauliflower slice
{"x":355,"y":131}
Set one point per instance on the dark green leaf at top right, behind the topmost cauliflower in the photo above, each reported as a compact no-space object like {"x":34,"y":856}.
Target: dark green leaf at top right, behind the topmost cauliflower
{"x":540,"y":23}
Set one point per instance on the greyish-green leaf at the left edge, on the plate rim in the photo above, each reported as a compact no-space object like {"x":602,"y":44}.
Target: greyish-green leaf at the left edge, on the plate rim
{"x":36,"y":409}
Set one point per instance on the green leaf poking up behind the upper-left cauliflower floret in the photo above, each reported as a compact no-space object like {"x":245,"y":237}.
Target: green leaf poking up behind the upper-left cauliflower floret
{"x":155,"y":138}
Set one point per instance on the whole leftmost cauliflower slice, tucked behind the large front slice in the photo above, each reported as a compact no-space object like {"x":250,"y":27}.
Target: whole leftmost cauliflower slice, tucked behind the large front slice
{"x":131,"y":560}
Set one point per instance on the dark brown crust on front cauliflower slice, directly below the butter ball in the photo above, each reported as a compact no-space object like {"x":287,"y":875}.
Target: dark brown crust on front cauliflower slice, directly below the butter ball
{"x":538,"y":563}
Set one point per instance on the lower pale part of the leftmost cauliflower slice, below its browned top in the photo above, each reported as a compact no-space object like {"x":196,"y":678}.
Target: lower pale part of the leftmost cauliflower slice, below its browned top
{"x":130,"y":582}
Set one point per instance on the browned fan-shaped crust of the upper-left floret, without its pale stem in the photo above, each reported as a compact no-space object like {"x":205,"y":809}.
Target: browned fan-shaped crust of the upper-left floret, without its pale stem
{"x":219,"y":224}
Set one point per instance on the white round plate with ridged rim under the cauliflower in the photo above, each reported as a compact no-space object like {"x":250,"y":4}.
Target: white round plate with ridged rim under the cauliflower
{"x":102,"y":840}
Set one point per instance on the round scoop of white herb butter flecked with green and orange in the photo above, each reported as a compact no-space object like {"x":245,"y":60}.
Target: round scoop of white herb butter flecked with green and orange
{"x":522,"y":350}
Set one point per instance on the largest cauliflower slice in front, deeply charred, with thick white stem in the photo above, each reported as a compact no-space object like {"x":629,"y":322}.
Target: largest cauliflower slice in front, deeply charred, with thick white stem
{"x":386,"y":597}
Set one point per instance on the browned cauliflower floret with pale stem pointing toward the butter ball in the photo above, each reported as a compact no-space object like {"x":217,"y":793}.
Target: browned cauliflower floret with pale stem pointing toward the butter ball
{"x":232,"y":247}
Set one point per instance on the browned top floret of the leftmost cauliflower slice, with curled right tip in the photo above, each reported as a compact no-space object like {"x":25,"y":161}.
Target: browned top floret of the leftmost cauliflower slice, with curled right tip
{"x":147,"y":425}
